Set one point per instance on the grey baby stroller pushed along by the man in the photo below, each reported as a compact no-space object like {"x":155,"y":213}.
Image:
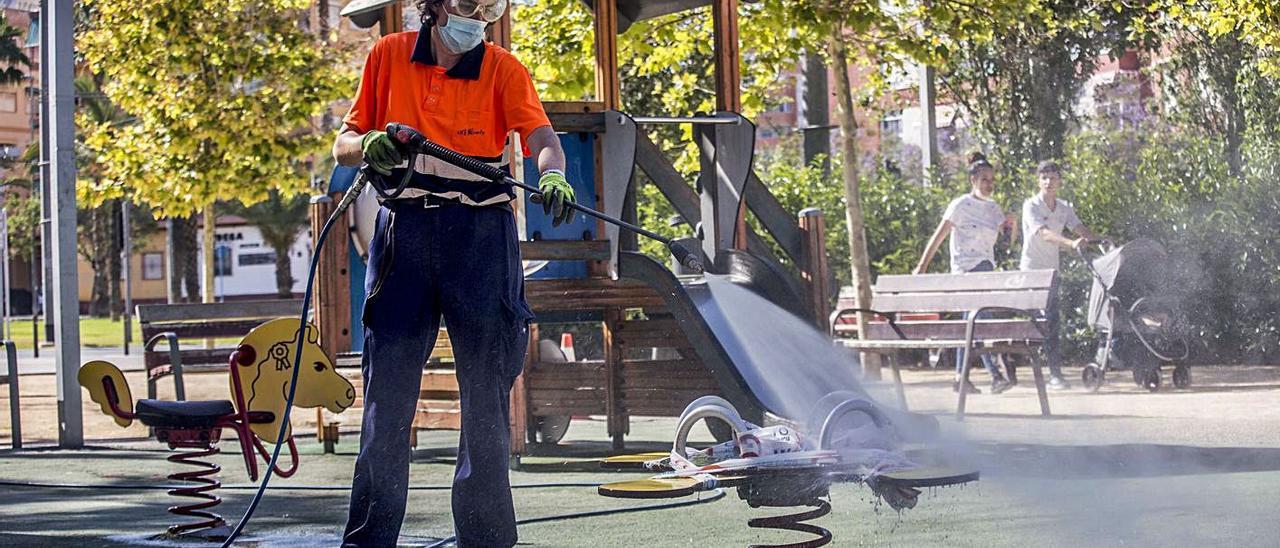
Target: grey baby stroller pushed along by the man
{"x":1137,"y":316}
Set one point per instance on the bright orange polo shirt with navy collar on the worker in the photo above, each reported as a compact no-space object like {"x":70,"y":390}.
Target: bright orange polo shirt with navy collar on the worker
{"x":470,"y":108}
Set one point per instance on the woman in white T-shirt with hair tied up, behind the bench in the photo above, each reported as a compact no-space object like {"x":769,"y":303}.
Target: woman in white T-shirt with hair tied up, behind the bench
{"x":975,"y":222}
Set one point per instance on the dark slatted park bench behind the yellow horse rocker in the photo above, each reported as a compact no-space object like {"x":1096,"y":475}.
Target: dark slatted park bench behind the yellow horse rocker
{"x":195,"y":323}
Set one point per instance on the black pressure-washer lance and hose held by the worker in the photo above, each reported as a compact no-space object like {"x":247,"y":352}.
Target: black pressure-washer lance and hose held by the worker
{"x":414,"y":143}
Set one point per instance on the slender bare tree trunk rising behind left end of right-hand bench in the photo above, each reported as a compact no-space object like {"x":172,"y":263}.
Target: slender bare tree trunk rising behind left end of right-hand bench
{"x":854,"y":221}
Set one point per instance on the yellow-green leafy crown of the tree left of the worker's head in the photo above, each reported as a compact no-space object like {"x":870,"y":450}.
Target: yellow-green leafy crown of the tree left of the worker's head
{"x":225,"y":101}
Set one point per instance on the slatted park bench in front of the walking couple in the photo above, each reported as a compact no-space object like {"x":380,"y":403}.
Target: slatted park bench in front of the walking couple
{"x":925,"y":313}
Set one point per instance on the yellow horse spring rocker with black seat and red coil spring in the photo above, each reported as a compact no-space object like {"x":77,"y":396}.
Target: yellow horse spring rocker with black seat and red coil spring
{"x":260,"y":375}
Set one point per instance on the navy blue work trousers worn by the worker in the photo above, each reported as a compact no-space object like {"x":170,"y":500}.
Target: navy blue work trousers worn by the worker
{"x":426,"y":263}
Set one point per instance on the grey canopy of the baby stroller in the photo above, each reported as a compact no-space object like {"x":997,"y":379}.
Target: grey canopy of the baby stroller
{"x":1128,"y":273}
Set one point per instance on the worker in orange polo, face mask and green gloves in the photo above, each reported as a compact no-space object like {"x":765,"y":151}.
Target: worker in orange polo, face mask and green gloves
{"x":446,"y":249}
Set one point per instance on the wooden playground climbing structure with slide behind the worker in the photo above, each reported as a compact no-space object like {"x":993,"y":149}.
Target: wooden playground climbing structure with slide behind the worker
{"x":607,"y":145}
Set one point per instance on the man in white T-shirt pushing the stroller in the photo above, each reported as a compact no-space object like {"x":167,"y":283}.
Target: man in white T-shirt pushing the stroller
{"x":1045,"y":216}
